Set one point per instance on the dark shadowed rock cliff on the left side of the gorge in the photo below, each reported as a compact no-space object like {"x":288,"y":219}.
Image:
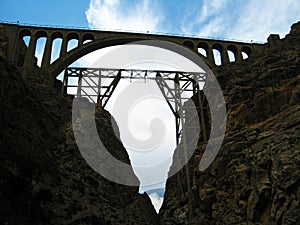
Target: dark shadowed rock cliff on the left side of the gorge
{"x":43,"y":177}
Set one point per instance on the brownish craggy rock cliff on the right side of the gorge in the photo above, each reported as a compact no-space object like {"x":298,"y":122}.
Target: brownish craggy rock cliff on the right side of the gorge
{"x":256,"y":175}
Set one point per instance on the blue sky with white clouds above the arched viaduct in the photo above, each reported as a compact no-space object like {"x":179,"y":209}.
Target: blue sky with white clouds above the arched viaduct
{"x":221,"y":19}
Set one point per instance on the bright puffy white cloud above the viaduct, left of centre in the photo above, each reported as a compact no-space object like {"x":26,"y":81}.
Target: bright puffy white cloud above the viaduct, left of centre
{"x":114,"y":15}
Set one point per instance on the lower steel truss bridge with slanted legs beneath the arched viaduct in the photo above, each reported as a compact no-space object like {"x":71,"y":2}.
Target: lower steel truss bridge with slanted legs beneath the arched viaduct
{"x":178,"y":88}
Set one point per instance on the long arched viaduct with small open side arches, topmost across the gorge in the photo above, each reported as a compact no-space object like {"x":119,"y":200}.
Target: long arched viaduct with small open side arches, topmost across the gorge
{"x":91,"y":40}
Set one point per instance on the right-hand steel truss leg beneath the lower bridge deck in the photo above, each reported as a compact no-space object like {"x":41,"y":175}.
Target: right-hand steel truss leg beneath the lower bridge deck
{"x":181,"y":107}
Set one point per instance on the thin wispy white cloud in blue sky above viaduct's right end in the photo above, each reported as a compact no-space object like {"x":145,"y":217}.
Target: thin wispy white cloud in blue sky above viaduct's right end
{"x":247,"y":20}
